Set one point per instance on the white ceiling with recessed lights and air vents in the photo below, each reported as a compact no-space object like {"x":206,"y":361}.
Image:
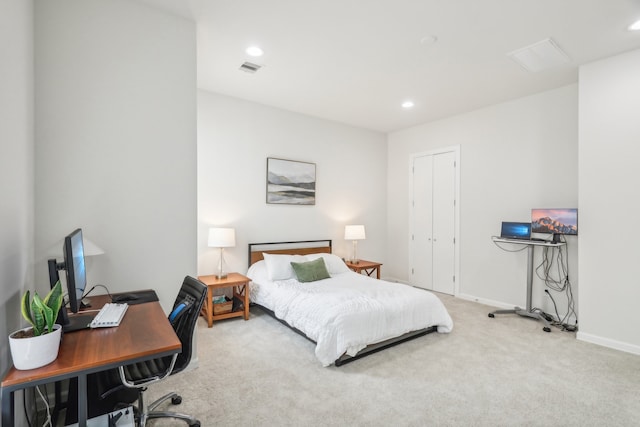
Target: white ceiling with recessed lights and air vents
{"x":356,"y":61}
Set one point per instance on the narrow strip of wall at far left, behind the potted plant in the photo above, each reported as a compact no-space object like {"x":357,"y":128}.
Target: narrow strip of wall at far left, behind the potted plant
{"x":16,"y":170}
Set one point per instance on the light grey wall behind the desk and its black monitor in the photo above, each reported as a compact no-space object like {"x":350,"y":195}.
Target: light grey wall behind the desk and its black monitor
{"x":116,"y":140}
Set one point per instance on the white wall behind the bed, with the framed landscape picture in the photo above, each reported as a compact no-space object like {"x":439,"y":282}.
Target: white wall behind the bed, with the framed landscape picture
{"x":235,"y":137}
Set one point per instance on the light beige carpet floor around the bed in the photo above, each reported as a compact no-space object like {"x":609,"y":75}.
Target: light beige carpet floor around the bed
{"x":504,"y":371}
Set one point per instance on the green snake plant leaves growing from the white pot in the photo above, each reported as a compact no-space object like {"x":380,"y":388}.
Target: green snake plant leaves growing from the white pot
{"x":41,"y":313}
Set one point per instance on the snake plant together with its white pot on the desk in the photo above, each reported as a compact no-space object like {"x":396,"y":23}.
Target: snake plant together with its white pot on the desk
{"x":37,"y":345}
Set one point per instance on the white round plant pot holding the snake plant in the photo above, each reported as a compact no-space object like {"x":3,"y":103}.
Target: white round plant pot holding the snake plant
{"x":34,"y":352}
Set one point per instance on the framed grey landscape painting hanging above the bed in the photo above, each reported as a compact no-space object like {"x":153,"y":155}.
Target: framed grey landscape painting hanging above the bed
{"x":290,"y":182}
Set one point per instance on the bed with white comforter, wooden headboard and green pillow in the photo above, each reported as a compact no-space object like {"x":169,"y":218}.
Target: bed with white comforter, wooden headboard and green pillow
{"x":347,"y":315}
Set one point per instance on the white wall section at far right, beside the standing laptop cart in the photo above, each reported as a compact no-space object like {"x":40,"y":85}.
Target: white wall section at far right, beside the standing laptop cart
{"x":609,"y":201}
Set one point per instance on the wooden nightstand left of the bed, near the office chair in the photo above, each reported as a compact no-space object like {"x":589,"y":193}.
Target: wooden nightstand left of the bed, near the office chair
{"x":240,"y":285}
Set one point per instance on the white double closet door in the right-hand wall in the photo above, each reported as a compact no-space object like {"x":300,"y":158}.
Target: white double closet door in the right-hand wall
{"x":433,"y":222}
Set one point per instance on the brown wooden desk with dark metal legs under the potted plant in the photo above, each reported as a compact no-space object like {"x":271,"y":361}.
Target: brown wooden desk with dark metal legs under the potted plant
{"x":144,"y":333}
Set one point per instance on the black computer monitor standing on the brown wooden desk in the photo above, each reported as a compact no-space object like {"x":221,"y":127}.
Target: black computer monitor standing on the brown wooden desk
{"x":73,"y":264}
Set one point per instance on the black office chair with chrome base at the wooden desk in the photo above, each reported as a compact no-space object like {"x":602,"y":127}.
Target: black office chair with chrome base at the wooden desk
{"x":183,"y":318}
